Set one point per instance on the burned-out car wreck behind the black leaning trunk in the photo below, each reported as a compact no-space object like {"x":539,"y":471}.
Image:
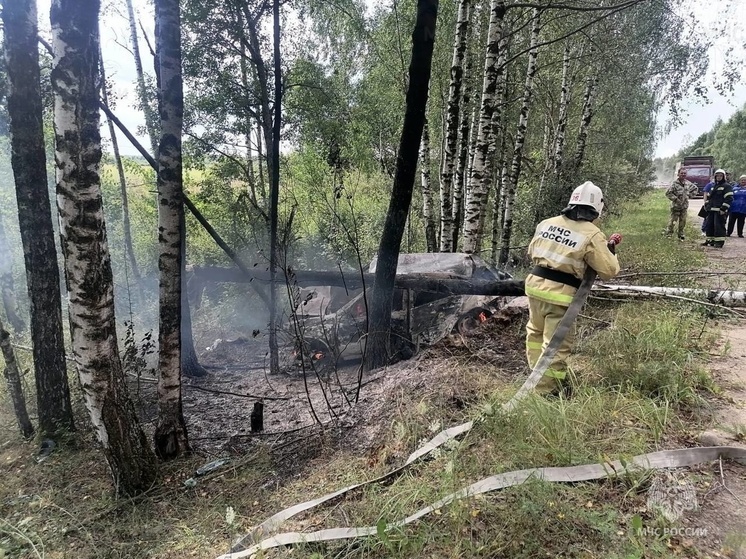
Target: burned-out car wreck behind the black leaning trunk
{"x":329,"y":324}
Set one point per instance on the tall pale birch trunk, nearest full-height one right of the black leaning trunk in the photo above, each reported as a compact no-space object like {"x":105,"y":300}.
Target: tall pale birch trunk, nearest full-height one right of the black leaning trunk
{"x":453,"y":124}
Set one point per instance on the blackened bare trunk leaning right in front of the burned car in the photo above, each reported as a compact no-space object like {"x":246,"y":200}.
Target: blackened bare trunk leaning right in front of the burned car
{"x":423,"y":40}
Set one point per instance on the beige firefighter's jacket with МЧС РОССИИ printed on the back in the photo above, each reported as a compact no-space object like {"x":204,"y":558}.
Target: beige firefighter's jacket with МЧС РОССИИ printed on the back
{"x":568,"y":247}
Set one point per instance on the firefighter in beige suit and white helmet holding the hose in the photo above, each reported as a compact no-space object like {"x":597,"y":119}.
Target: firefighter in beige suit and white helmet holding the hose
{"x":561,"y":250}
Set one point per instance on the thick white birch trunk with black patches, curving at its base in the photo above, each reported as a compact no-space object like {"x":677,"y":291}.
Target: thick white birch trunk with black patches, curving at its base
{"x":83,"y":237}
